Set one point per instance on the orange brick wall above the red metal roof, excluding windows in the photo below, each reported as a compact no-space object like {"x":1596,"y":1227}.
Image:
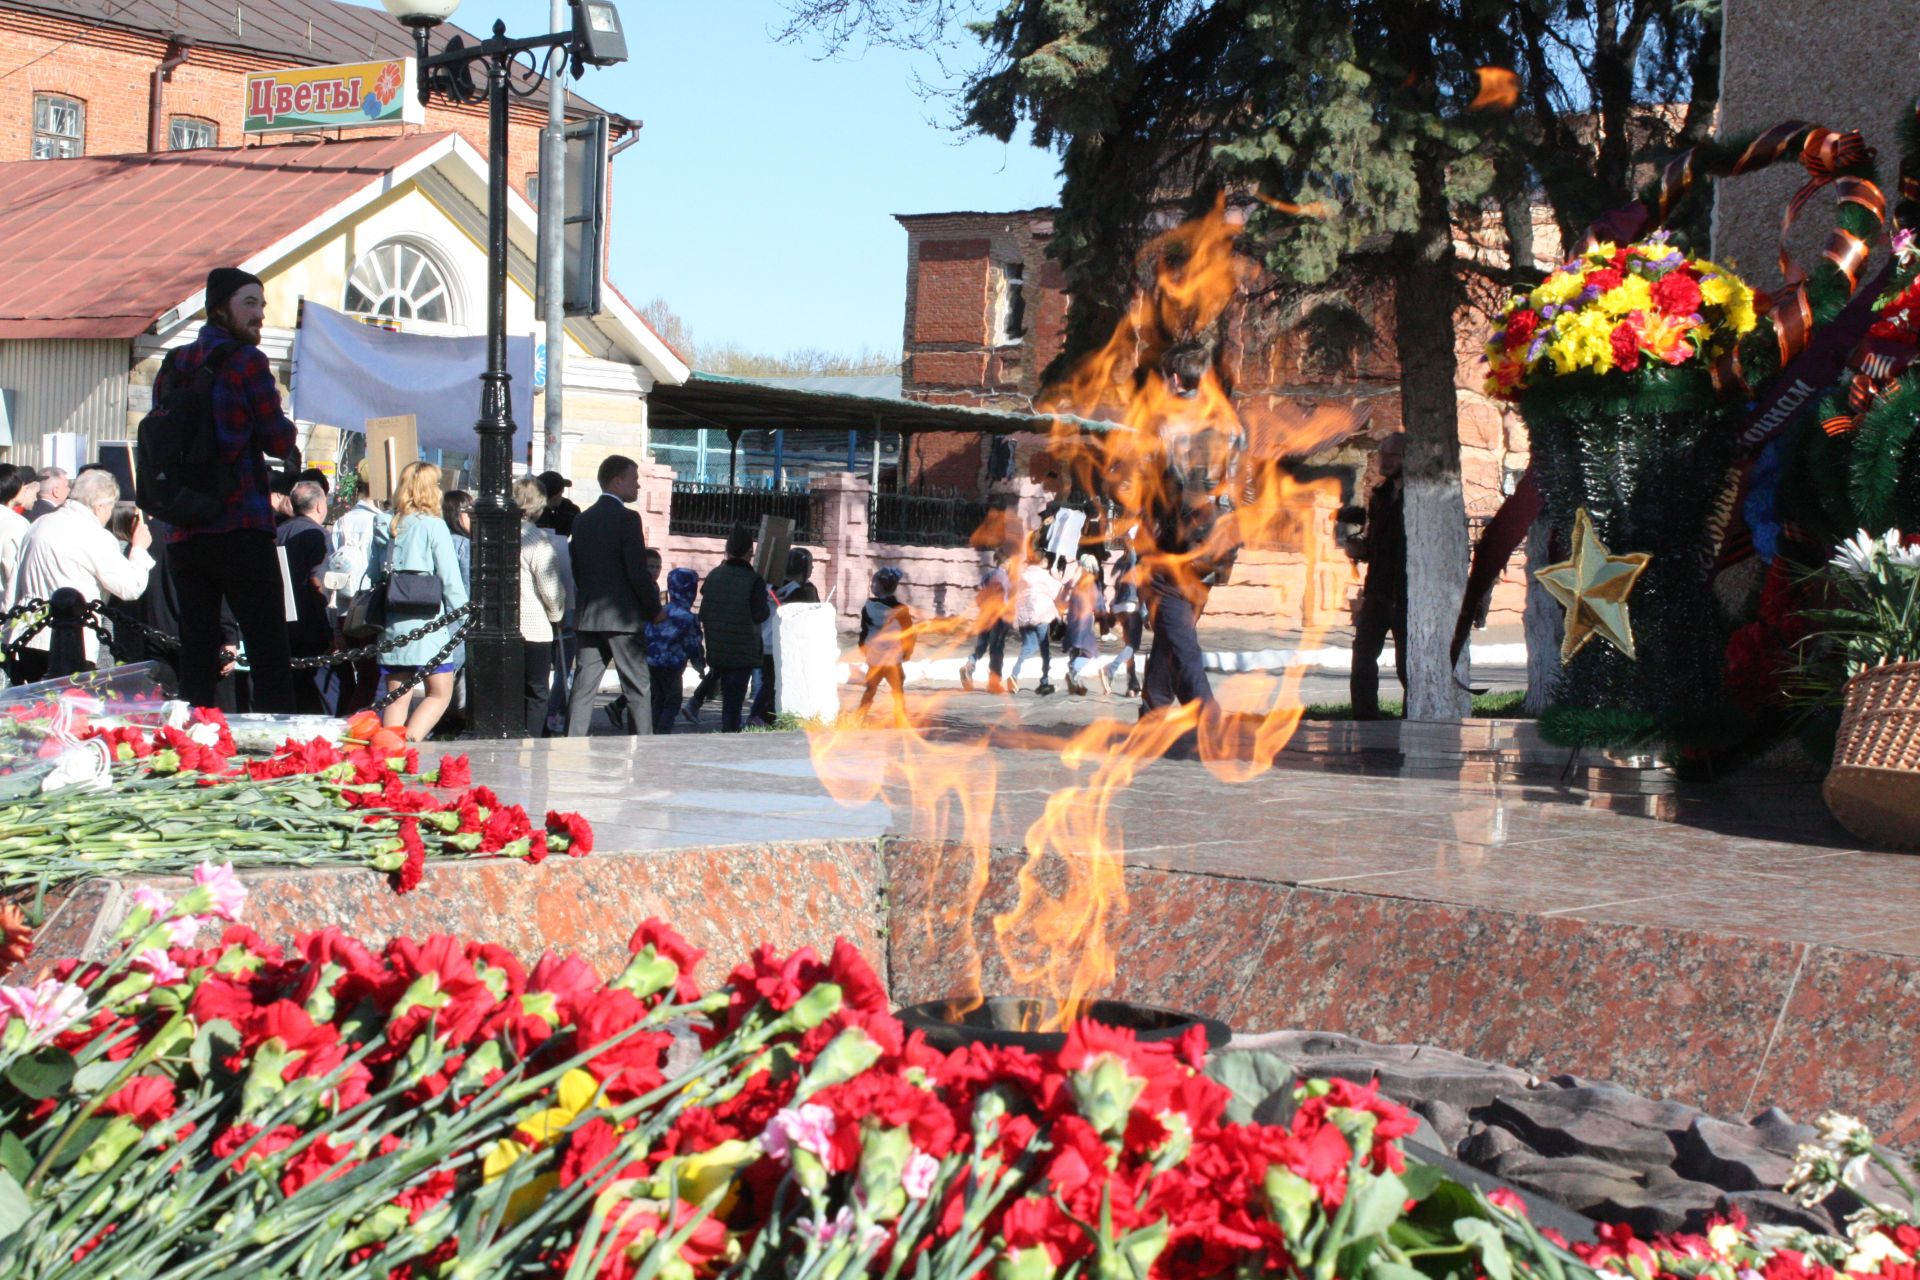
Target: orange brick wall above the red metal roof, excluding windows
{"x":110,"y":72}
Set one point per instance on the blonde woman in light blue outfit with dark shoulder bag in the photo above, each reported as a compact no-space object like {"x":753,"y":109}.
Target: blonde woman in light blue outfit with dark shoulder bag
{"x":421,"y":546}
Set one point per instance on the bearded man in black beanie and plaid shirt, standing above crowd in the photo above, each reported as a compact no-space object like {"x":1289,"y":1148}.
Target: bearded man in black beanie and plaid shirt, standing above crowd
{"x":231,"y":559}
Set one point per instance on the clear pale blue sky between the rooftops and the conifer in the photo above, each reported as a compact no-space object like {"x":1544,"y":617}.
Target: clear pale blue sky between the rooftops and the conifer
{"x":761,"y":195}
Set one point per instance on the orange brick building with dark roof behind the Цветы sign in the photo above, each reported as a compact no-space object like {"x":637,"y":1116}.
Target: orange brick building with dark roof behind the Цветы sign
{"x":108,"y":78}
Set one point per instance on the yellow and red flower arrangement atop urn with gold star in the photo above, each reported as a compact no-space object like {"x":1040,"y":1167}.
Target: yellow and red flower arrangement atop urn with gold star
{"x":1616,"y":308}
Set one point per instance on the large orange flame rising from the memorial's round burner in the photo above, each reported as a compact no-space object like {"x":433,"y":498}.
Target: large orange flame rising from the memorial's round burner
{"x":1161,"y":379}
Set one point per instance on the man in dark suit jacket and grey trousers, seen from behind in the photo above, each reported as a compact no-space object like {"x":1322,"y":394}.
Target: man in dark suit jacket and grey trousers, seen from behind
{"x":617,"y":598}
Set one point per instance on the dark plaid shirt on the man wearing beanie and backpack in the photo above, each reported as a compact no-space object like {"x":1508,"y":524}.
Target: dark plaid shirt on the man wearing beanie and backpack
{"x":247,"y":414}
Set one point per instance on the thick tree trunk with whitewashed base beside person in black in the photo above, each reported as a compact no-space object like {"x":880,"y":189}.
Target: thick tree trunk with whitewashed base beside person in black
{"x":1437,"y":510}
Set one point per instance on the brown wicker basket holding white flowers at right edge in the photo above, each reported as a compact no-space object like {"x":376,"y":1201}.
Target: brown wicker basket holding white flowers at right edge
{"x":1875,"y":786}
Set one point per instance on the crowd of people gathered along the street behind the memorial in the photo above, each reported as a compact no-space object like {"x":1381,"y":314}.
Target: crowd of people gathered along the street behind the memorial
{"x":372,"y":594}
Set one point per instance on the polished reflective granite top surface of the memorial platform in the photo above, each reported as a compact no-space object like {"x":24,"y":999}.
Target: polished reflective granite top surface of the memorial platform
{"x":1477,"y":815}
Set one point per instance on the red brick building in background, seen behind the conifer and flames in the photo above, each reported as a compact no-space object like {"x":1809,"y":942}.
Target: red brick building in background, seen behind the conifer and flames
{"x":986,"y":316}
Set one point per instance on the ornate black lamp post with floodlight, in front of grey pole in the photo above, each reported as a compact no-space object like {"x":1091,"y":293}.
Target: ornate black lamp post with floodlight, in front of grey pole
{"x":494,"y":655}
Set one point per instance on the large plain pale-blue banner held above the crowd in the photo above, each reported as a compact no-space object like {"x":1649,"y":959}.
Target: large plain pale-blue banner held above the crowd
{"x":347,"y":373}
